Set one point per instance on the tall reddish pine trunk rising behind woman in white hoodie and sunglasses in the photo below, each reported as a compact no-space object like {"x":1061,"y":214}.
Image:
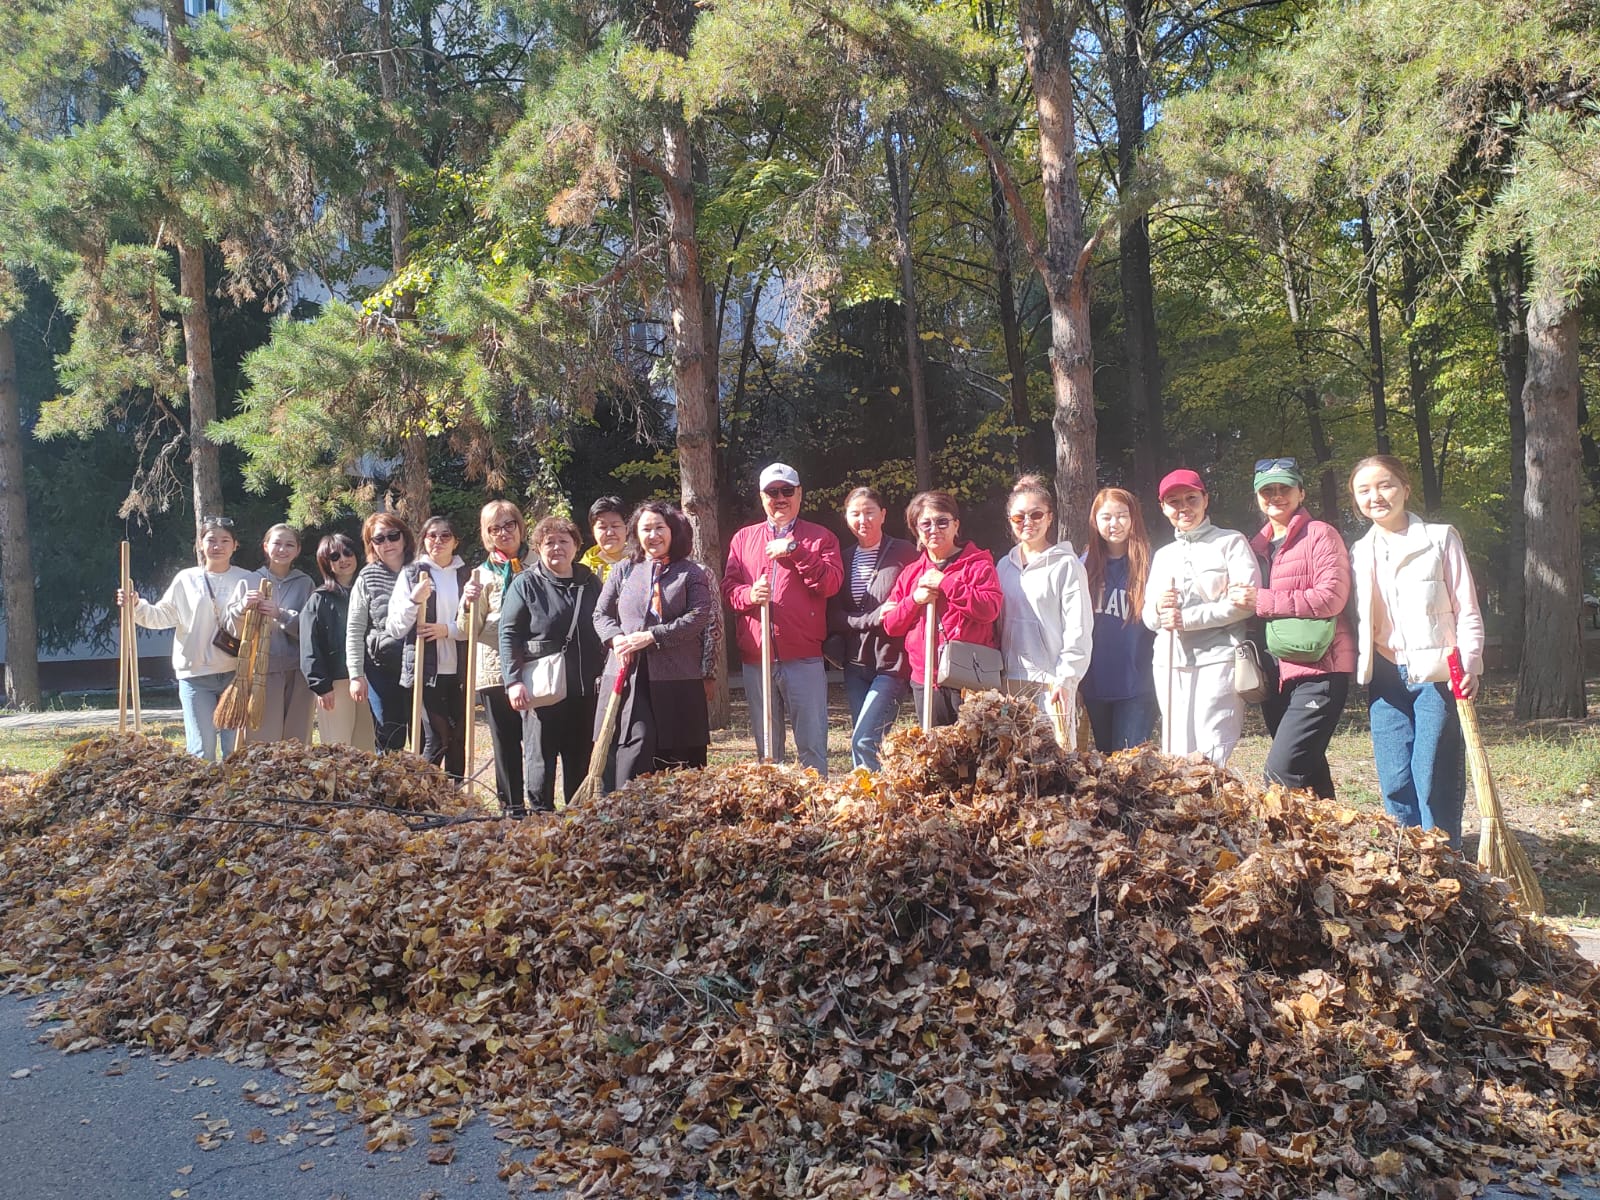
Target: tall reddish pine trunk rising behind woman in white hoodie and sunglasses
{"x":1047,"y":49}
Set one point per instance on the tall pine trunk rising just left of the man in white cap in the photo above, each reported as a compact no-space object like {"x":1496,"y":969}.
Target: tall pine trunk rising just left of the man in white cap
{"x":694,"y":364}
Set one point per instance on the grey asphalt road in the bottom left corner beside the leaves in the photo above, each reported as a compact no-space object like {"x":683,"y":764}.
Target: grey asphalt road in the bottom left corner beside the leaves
{"x":126,"y":1126}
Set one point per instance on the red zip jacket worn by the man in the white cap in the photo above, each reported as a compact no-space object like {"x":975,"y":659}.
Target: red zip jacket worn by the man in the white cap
{"x":802,"y":583}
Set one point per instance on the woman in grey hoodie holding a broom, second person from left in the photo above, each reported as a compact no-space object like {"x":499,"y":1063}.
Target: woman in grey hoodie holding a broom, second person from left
{"x":287,"y":714}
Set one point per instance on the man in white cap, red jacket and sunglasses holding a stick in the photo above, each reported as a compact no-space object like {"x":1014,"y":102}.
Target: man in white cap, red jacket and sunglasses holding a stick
{"x":794,"y":567}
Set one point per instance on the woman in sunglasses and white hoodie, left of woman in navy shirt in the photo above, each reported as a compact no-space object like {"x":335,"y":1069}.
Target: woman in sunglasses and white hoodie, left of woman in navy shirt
{"x":1046,"y":626}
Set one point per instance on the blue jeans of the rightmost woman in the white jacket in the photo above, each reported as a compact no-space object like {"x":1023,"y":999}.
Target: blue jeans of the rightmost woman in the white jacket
{"x":1418,"y":750}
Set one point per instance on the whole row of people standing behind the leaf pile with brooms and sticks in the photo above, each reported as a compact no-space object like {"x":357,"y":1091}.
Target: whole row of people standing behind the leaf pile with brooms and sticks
{"x":1137,"y":636}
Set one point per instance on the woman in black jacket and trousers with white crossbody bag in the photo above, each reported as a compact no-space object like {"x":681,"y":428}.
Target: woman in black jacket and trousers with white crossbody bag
{"x":550,"y":610}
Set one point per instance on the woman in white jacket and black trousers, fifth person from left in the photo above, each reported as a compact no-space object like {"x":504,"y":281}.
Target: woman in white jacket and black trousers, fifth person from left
{"x":423,"y":612}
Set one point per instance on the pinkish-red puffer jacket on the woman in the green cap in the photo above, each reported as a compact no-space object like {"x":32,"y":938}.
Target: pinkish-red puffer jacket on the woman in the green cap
{"x":1311,"y":577}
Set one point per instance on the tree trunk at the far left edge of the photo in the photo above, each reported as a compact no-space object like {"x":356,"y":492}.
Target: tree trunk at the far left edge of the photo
{"x":17,"y":556}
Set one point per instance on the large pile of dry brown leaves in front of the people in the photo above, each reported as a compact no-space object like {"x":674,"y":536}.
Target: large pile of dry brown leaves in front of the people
{"x":993,"y":970}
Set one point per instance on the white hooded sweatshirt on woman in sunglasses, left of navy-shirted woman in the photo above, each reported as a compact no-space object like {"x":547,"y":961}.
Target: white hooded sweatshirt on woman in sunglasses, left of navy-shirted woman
{"x":1047,"y":623}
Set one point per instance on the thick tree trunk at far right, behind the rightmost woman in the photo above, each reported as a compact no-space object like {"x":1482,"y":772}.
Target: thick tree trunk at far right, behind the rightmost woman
{"x":1551,"y":681}
